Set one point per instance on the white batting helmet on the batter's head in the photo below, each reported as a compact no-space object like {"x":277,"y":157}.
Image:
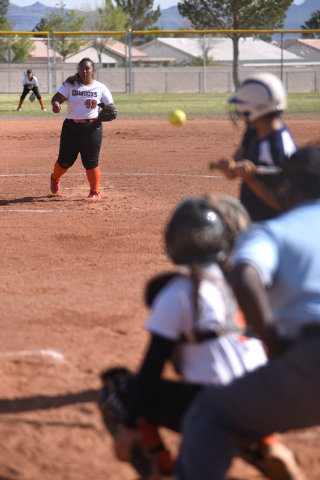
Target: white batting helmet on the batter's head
{"x":259,"y":95}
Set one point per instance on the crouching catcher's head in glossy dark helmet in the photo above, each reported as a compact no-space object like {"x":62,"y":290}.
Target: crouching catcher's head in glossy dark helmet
{"x":204,"y":229}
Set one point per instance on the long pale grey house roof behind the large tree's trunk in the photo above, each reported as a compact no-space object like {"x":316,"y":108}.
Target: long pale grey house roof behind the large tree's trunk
{"x":221,"y":49}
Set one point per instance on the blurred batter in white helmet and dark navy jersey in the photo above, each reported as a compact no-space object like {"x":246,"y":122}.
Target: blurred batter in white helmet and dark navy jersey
{"x":259,"y":102}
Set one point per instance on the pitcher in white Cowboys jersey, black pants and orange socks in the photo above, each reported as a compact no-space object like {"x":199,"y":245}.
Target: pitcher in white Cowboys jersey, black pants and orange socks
{"x":81,"y":130}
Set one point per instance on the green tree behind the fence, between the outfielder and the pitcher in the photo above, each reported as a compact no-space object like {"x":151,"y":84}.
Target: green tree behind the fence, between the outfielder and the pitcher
{"x":59,"y":19}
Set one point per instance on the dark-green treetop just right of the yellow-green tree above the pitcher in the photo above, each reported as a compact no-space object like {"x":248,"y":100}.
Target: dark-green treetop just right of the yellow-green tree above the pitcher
{"x":141,"y":14}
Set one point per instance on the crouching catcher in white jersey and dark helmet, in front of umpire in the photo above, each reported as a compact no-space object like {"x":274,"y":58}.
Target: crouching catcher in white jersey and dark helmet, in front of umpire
{"x":192,"y":323}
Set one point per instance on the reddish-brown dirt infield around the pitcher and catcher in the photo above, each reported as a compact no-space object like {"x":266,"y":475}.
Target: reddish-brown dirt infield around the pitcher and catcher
{"x":72,"y":281}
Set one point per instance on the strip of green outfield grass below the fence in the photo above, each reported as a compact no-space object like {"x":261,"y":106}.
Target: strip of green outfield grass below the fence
{"x":202,"y":104}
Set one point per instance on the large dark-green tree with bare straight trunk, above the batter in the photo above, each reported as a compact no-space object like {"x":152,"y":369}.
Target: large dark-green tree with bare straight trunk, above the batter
{"x":235,"y":15}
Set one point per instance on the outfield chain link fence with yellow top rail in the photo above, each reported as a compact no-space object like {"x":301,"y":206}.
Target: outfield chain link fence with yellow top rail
{"x":170,"y":62}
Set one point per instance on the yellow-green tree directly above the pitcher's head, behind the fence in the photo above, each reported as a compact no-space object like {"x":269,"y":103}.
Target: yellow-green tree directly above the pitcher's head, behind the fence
{"x":105,"y":17}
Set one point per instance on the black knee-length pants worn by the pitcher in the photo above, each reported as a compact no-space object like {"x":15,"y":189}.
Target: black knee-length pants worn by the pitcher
{"x":83,"y":138}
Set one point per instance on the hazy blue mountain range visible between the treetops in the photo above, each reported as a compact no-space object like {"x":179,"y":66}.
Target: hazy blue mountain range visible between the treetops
{"x":26,"y":18}
